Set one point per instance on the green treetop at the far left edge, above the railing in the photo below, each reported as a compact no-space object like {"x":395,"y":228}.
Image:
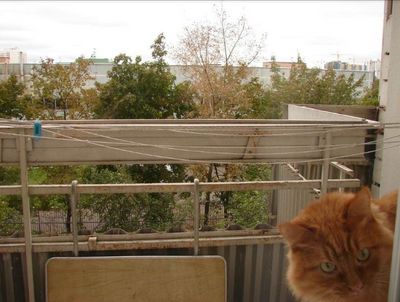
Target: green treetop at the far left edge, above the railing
{"x":13,"y":103}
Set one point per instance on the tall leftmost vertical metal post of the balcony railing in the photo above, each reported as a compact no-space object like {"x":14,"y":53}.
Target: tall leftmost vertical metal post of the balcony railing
{"x":26,"y":214}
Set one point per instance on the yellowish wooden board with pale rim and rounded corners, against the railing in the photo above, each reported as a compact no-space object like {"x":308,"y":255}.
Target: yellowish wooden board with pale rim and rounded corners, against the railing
{"x":141,"y":279}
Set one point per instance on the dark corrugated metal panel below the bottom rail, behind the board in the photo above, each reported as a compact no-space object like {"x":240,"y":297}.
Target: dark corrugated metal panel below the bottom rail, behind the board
{"x":249,"y":270}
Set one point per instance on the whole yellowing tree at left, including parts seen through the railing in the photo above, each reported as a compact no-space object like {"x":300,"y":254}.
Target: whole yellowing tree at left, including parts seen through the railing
{"x":59,"y":90}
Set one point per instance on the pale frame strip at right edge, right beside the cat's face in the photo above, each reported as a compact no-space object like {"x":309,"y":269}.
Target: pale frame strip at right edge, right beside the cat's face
{"x":394,"y":285}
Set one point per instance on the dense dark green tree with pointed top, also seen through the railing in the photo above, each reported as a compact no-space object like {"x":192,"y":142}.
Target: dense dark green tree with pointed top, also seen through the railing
{"x":138,"y":90}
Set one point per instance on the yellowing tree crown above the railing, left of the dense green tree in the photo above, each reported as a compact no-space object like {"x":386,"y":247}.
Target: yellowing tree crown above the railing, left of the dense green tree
{"x":59,"y":89}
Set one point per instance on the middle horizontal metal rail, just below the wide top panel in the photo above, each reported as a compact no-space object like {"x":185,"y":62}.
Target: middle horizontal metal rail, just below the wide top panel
{"x":178,"y":187}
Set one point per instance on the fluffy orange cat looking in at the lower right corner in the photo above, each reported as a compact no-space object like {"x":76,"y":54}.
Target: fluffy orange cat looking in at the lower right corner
{"x":340,"y":248}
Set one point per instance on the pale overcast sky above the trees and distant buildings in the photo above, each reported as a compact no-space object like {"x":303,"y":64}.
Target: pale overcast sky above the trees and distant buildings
{"x":318,"y":30}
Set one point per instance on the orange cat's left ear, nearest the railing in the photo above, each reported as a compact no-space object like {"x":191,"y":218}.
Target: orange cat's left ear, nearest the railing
{"x":296,"y":235}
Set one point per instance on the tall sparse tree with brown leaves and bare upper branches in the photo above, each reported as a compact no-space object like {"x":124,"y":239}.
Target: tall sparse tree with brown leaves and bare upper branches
{"x":216,"y":58}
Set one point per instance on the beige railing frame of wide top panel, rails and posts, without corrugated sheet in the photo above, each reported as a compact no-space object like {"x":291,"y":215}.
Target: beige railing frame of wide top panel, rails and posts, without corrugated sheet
{"x":149,"y":142}
